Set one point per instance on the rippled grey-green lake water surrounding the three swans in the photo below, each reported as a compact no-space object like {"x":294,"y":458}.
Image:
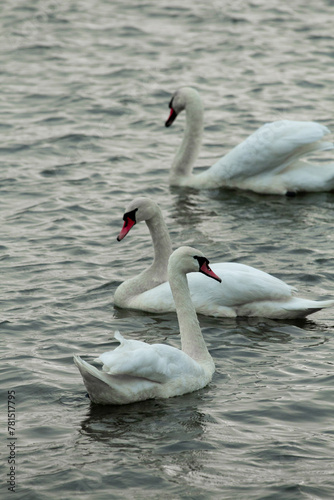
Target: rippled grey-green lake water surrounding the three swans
{"x":85,"y":88}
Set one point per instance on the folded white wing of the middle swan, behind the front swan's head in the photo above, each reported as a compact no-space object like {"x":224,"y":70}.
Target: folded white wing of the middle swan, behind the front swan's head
{"x":241,"y":284}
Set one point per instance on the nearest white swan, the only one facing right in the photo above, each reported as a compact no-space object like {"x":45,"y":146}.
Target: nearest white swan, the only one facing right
{"x":136,"y":371}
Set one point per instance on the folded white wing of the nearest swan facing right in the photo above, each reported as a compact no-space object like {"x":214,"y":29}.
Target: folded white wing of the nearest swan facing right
{"x":155,"y":362}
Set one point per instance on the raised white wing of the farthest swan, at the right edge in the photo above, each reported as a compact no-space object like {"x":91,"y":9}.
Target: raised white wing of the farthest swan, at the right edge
{"x":271,"y":148}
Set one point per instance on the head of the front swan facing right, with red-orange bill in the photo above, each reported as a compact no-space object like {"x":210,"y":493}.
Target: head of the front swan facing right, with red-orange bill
{"x":188,"y":260}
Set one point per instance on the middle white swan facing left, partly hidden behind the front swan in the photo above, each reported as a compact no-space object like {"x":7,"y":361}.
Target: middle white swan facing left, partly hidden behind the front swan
{"x":246,"y":291}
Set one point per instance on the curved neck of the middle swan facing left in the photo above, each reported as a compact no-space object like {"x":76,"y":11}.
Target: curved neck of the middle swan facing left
{"x":157,"y":272}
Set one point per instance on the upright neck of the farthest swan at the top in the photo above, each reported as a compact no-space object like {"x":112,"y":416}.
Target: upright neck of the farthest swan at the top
{"x":188,"y":151}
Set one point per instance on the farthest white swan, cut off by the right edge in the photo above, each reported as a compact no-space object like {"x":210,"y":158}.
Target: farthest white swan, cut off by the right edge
{"x":267,"y":162}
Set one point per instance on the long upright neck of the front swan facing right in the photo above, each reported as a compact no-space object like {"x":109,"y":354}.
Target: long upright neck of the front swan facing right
{"x":192,"y":341}
